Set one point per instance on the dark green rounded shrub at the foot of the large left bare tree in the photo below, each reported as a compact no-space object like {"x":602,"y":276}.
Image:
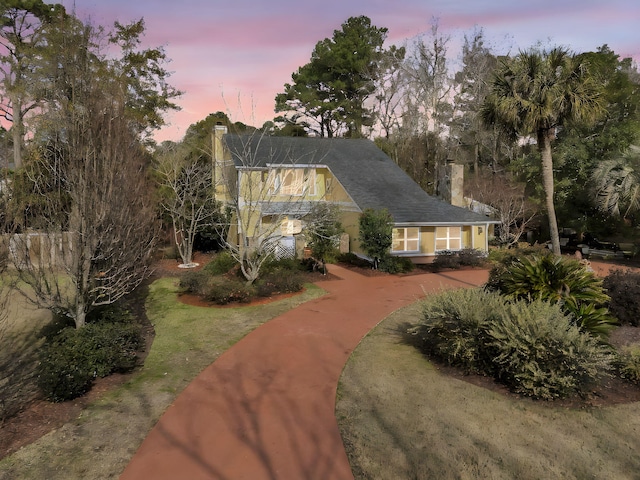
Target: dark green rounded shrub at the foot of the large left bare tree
{"x":72,"y":359}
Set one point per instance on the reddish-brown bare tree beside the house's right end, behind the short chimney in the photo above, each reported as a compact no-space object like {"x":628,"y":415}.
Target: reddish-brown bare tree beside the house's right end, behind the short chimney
{"x":507,"y":202}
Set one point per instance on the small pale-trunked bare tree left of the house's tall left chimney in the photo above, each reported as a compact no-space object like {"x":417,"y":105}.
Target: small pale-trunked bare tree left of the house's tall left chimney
{"x":188,"y":198}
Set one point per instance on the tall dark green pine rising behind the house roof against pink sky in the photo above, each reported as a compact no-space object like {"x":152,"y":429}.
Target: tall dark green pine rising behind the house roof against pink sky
{"x":328,"y":94}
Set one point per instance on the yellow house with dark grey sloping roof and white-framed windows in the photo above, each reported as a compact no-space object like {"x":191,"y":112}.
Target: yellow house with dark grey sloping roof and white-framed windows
{"x":274,"y":181}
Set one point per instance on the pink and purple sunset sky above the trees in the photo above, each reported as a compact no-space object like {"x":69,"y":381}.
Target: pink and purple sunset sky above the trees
{"x":235,"y":56}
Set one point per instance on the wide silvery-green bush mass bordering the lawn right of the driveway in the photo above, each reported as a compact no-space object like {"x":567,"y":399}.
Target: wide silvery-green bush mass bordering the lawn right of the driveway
{"x":534,"y":348}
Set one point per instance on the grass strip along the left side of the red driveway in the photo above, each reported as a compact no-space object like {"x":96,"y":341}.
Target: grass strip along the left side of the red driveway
{"x":101,"y":441}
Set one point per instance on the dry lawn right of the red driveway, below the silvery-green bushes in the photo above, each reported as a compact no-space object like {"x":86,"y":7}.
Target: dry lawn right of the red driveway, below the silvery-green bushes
{"x":401,"y":418}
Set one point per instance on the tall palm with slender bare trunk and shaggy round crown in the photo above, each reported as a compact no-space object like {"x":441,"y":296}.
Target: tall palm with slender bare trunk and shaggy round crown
{"x":535,"y":93}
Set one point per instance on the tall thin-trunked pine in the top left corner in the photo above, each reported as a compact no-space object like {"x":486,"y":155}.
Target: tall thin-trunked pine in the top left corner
{"x":22,"y":23}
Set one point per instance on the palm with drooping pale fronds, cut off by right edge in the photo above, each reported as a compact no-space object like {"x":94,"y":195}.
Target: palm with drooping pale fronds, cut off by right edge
{"x":617,"y":183}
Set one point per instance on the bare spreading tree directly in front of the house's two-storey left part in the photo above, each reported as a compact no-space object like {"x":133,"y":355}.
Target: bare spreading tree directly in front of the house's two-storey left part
{"x":267,"y":188}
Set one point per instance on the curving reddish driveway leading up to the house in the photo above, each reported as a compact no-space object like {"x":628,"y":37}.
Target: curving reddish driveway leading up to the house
{"x":265,"y":408}
